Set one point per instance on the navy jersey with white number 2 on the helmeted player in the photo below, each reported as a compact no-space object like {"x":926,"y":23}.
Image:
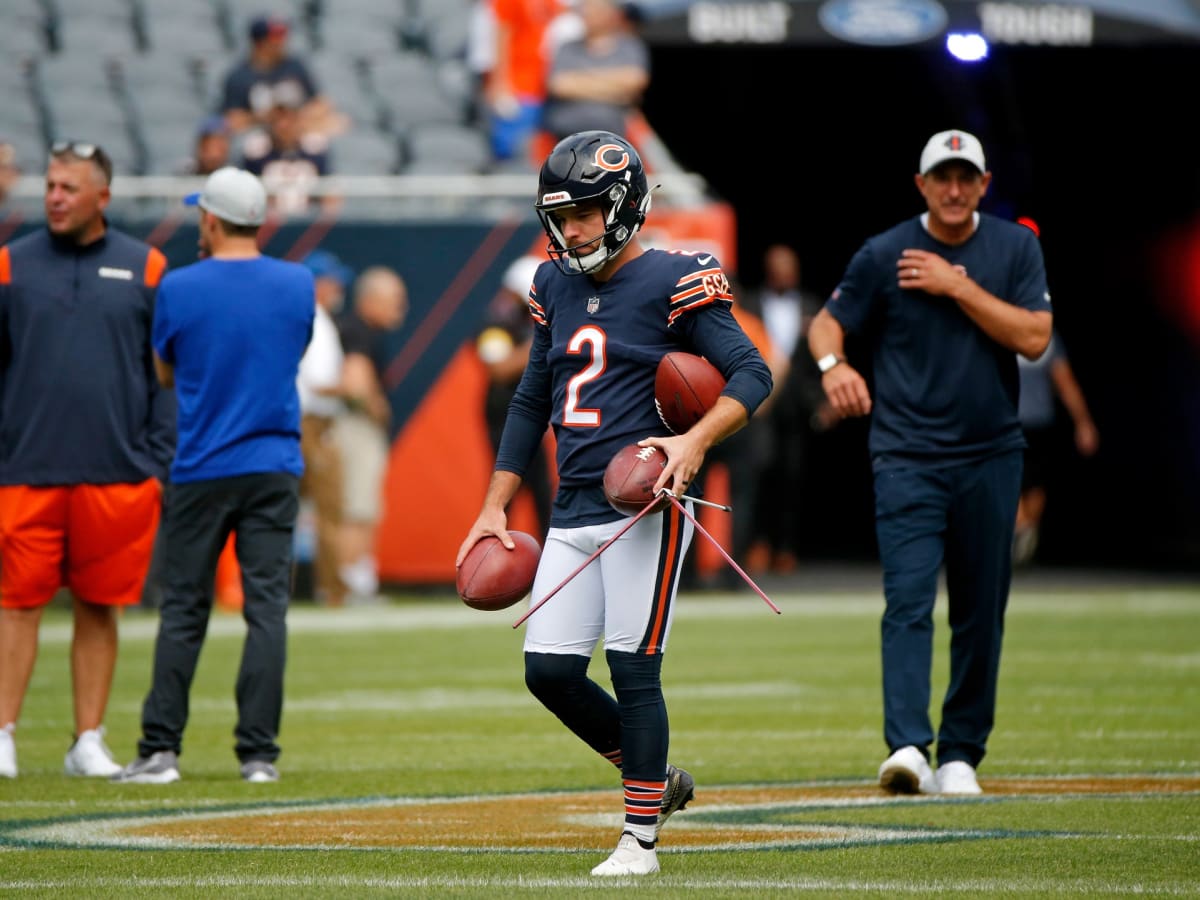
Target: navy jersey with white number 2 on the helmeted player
{"x":596,"y":352}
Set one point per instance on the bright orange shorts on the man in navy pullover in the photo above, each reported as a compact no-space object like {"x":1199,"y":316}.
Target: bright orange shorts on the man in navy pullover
{"x":94,"y":539}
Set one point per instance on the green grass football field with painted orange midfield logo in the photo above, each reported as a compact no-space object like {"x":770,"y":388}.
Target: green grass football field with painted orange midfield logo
{"x":1093,"y":779}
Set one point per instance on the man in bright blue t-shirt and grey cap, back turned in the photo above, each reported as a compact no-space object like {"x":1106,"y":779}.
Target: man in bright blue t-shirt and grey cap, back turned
{"x":229,"y":335}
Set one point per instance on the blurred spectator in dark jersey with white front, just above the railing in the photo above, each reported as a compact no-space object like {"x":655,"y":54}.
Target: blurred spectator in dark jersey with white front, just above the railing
{"x":290,"y":161}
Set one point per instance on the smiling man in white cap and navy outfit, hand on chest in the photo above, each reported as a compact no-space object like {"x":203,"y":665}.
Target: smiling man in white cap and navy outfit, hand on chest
{"x":944,"y":303}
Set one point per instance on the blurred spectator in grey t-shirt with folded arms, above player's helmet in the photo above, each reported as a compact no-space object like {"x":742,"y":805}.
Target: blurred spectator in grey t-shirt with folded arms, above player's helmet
{"x":597,"y":81}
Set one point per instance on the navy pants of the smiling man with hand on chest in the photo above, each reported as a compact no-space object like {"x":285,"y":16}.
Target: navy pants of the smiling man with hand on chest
{"x":963,"y":517}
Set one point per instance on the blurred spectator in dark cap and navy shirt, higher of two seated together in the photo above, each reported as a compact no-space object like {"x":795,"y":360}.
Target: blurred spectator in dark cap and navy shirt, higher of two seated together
{"x":268,"y":75}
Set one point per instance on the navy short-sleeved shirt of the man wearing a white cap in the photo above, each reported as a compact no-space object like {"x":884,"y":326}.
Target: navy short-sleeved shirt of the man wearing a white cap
{"x":944,"y":391}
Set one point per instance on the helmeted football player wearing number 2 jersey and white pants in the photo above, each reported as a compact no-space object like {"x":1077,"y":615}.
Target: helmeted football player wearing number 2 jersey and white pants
{"x":605,"y":311}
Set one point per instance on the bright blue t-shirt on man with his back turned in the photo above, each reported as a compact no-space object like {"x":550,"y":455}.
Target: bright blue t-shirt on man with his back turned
{"x":236,"y":332}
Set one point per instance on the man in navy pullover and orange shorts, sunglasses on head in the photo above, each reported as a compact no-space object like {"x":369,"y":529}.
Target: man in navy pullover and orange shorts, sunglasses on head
{"x":88,"y":437}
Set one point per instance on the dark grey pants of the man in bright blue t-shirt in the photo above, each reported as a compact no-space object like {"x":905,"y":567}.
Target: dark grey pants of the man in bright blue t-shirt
{"x":262,"y":511}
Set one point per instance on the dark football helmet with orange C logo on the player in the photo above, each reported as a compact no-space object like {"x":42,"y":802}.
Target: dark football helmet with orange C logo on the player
{"x":597,"y":167}
